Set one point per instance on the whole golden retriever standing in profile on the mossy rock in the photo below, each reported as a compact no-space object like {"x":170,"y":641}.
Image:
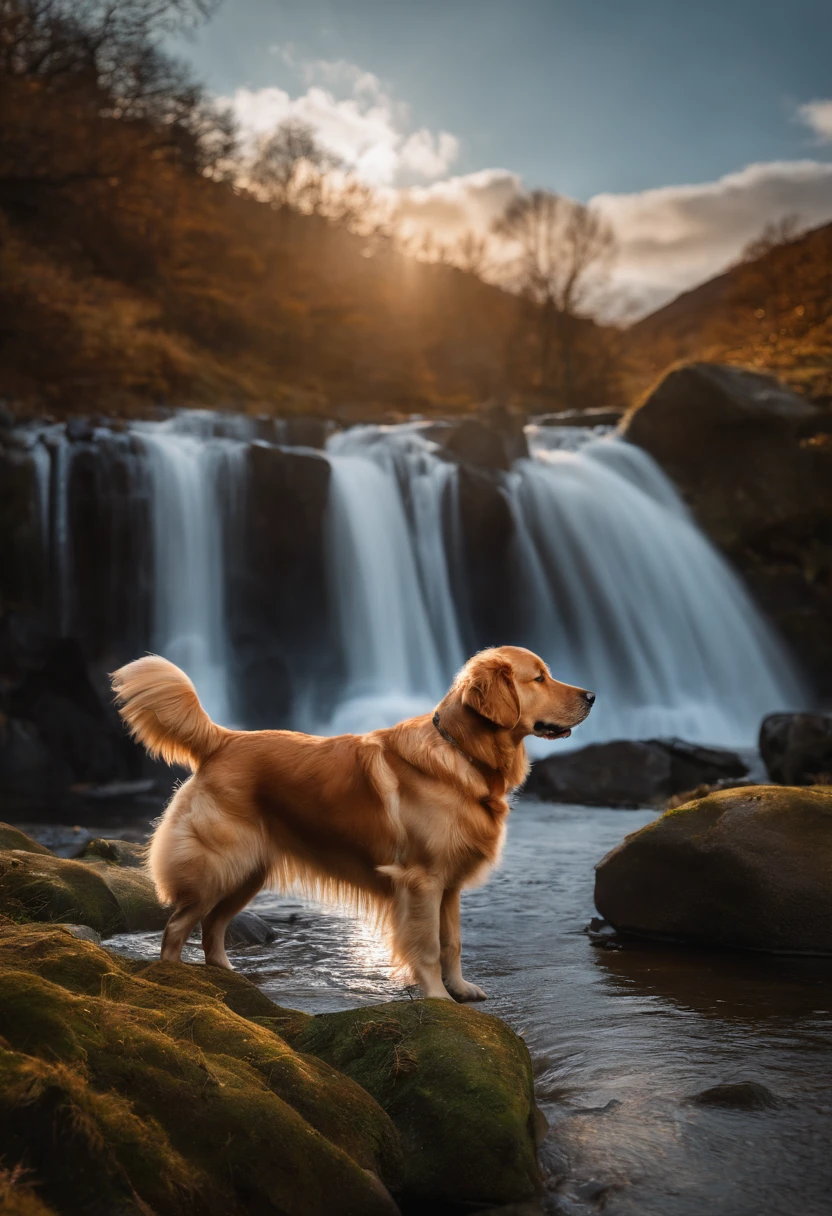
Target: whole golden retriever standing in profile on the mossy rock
{"x":395,"y":823}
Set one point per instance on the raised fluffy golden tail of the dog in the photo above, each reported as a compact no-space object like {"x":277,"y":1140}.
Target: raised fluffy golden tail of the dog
{"x":161,"y":707}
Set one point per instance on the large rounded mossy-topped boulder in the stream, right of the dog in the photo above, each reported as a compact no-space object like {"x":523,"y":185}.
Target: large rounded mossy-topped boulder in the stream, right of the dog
{"x":746,"y":869}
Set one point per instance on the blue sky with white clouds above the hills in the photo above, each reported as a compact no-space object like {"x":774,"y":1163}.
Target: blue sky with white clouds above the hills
{"x":690,"y":126}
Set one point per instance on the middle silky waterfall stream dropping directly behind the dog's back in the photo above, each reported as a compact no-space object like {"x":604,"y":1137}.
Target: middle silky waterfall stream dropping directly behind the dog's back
{"x":390,"y":579}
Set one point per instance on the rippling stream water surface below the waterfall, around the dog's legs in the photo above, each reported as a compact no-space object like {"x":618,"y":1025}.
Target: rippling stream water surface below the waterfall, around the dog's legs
{"x":621,"y":1039}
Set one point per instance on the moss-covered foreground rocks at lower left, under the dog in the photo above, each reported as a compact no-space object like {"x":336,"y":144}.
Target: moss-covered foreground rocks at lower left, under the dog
{"x":176,"y":1089}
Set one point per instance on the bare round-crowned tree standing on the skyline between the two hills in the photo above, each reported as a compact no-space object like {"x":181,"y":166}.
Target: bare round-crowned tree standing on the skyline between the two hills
{"x":561,"y":254}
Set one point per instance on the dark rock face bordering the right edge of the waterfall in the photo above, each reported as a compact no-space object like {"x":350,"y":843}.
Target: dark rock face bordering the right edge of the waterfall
{"x":755,"y":463}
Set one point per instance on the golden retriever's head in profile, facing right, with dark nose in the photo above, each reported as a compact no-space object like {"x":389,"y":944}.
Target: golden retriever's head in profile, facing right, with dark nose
{"x":511,"y":688}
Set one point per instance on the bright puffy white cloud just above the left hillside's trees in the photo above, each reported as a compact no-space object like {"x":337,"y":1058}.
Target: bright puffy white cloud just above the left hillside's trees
{"x":353,"y":117}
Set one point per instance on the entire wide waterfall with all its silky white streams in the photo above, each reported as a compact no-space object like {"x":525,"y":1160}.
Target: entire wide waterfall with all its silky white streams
{"x":606,"y":577}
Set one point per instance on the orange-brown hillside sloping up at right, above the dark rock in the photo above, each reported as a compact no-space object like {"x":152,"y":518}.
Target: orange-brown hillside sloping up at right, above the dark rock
{"x":772,"y":312}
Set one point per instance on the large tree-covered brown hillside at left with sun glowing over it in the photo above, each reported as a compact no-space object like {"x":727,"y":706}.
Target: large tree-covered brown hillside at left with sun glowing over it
{"x":137,"y":271}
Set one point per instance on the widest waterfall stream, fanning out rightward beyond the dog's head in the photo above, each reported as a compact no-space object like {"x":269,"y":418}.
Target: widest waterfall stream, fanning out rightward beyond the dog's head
{"x":633,"y":601}
